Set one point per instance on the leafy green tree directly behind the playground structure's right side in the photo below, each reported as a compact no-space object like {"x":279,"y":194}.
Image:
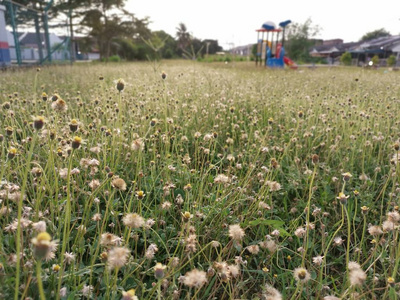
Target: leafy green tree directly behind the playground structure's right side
{"x":299,"y":39}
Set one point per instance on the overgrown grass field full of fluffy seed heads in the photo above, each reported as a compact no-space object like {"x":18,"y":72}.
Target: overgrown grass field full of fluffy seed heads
{"x":212,"y":181}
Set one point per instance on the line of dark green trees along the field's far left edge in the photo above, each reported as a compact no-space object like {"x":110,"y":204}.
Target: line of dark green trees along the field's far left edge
{"x":106,"y":26}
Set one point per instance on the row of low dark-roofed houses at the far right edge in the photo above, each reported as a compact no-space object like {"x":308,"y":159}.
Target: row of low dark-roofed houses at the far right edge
{"x":361,"y":51}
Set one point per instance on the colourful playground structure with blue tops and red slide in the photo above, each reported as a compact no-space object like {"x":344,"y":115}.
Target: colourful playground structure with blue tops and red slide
{"x":271,"y":51}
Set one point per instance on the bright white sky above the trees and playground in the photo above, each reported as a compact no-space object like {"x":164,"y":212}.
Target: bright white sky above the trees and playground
{"x":233,"y":23}
